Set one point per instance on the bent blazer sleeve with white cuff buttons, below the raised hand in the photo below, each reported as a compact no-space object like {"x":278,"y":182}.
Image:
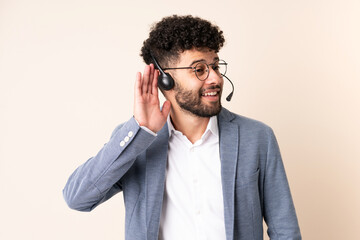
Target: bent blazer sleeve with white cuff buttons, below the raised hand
{"x":99,"y":178}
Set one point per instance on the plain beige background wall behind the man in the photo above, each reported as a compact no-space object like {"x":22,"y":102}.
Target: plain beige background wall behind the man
{"x":66,"y":80}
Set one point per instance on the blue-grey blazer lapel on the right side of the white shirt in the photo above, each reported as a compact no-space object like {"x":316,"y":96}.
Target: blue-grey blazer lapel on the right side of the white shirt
{"x":229,"y":142}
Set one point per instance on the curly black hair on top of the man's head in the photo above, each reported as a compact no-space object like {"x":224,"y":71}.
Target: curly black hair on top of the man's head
{"x":175,"y":34}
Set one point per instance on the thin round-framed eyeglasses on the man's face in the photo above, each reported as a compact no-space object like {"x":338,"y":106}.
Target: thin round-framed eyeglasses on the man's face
{"x":202,"y":69}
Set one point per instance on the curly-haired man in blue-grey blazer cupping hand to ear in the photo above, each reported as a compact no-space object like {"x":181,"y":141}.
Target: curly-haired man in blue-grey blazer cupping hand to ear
{"x":189,"y":169}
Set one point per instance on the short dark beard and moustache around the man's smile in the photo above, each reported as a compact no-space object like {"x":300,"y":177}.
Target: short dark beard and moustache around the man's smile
{"x":190,"y":101}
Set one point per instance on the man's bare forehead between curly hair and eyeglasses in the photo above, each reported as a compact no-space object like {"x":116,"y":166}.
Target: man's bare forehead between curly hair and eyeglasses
{"x":189,"y":56}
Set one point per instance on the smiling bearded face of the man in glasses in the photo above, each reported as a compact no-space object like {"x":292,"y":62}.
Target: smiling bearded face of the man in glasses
{"x":200,"y":98}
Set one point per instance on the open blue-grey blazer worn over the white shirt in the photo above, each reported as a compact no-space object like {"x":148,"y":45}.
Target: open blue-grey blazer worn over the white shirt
{"x":254,"y":182}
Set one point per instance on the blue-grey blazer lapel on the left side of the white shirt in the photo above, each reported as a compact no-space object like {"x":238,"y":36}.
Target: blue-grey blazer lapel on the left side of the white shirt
{"x":156,"y":158}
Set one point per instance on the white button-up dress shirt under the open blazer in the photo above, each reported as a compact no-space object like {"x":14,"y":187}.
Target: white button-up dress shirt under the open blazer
{"x":193,"y":199}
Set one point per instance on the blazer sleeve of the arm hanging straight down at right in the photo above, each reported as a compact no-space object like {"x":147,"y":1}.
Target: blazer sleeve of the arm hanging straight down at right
{"x":279,"y":210}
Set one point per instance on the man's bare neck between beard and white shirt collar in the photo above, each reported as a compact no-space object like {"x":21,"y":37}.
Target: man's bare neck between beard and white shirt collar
{"x":193,"y":127}
